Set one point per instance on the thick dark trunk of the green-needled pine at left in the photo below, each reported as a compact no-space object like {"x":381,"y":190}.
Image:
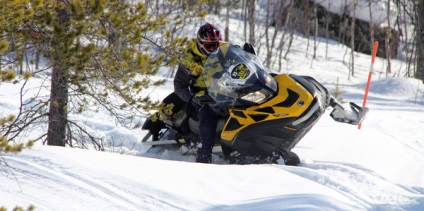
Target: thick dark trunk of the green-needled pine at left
{"x":56,"y":134}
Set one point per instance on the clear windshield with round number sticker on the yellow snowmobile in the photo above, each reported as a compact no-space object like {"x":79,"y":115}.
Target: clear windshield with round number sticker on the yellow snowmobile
{"x":236,"y":77}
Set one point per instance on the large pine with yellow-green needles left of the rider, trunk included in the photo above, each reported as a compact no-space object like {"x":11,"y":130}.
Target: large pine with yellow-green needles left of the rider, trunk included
{"x":95,"y":49}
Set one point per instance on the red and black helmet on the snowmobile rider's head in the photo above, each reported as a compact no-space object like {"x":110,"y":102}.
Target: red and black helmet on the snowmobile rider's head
{"x":208,"y":38}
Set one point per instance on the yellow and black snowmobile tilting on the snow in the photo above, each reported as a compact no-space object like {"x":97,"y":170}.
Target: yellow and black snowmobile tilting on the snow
{"x":262,"y":116}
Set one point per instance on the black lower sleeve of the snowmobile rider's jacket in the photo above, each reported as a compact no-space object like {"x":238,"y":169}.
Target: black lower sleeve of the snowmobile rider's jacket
{"x":182,"y":84}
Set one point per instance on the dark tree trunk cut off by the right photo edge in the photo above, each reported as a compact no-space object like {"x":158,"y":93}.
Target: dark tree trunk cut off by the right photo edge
{"x":419,"y":37}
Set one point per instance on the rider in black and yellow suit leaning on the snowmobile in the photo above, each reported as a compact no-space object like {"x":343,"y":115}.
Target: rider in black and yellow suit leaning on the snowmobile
{"x":190,"y":86}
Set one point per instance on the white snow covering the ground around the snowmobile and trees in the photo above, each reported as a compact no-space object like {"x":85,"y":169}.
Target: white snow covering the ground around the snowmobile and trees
{"x":379,"y":167}
